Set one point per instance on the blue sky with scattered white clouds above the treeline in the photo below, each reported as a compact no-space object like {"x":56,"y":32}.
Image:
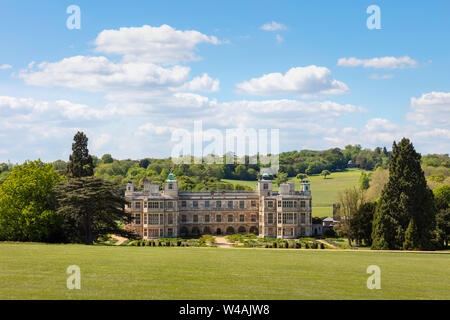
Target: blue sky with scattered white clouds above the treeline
{"x":135,"y":72}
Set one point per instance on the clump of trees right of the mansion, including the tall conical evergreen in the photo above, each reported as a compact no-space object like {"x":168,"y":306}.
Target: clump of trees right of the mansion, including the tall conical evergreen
{"x":407,"y":215}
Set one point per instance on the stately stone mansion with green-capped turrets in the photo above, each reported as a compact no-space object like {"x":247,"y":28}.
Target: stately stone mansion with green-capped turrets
{"x":173,"y":213}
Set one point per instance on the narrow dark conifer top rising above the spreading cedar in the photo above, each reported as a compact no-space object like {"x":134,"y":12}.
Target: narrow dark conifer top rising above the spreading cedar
{"x":80,"y":162}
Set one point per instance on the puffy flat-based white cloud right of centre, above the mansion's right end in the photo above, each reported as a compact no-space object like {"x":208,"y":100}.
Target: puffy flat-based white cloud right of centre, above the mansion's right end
{"x":301,"y":80}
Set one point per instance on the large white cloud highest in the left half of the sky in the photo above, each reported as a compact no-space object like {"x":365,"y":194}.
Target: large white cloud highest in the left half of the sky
{"x":162,"y":44}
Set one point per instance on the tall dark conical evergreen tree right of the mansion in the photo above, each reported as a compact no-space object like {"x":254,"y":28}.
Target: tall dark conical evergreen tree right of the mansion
{"x":404,"y":198}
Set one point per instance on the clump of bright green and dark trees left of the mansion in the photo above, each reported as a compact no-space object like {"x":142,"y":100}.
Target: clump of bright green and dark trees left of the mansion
{"x":40,"y":205}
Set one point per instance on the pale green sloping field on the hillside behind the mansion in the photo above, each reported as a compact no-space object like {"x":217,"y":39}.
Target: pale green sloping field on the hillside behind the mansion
{"x":324,"y":191}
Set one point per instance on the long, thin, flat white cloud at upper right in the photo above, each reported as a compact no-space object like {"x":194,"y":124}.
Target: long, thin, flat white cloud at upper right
{"x":379,"y":63}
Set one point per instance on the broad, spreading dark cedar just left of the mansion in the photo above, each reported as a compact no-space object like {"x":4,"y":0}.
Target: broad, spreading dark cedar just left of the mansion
{"x":91,"y":207}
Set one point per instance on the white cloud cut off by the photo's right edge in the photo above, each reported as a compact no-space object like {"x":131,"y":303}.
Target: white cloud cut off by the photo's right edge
{"x":430,"y":109}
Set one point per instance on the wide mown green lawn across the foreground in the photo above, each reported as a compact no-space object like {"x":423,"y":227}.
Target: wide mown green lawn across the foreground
{"x":38,"y":271}
